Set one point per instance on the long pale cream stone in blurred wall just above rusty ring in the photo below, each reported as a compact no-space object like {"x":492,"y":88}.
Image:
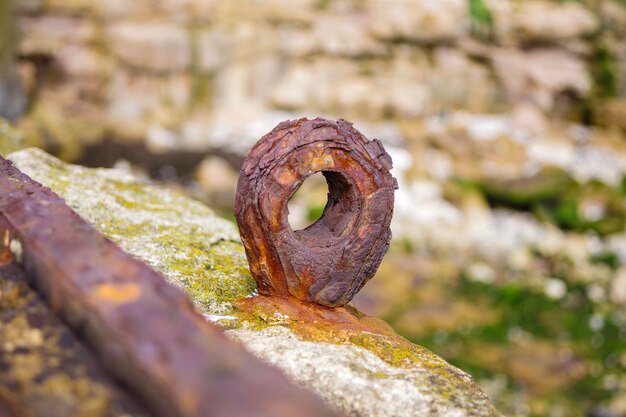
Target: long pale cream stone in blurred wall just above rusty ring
{"x":410,"y":85}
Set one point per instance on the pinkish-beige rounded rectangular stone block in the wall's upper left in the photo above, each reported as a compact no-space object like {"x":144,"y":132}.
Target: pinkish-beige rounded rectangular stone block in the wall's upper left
{"x":153,"y":46}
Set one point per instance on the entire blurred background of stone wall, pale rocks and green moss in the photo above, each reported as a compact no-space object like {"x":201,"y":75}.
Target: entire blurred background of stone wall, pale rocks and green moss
{"x":506,"y":121}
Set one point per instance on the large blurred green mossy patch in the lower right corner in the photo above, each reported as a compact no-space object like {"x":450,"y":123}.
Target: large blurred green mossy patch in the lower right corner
{"x":560,"y":323}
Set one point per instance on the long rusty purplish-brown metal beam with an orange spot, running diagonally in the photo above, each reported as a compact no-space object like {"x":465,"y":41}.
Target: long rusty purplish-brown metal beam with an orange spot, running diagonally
{"x":143,"y":329}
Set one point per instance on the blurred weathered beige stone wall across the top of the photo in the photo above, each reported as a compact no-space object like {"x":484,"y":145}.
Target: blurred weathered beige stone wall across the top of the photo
{"x":171,"y":70}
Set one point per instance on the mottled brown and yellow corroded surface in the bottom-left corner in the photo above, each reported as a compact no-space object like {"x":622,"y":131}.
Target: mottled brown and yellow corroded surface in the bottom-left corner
{"x":44,"y":370}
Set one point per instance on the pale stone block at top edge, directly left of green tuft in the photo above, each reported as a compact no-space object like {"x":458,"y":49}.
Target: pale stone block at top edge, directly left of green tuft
{"x":418,"y":20}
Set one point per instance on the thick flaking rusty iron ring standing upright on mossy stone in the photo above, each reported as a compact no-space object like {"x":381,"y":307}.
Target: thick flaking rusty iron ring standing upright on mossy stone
{"x":330,"y":261}
